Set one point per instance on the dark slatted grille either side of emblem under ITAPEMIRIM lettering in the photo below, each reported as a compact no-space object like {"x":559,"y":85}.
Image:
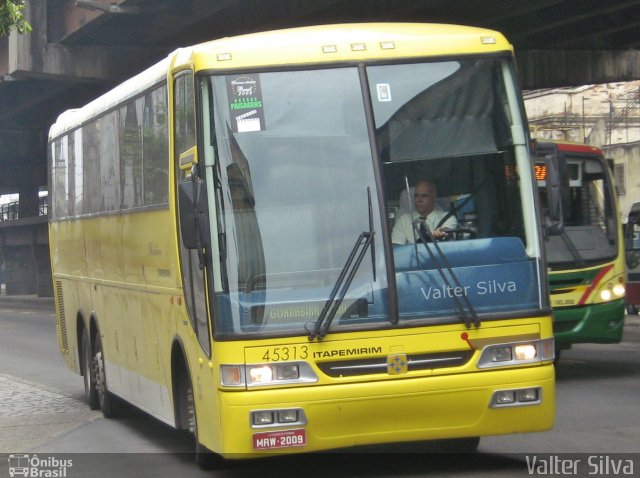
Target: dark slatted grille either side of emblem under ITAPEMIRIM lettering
{"x":379,"y":365}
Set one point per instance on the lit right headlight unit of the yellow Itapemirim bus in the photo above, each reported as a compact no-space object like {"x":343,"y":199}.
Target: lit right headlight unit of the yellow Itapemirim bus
{"x":517,"y":353}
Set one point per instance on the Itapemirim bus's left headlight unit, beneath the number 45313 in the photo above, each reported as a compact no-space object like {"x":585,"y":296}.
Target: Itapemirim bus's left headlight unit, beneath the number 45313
{"x":256,"y":375}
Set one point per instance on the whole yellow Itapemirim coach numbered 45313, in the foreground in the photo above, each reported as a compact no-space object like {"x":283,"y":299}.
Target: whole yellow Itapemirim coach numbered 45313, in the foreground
{"x":222,"y":254}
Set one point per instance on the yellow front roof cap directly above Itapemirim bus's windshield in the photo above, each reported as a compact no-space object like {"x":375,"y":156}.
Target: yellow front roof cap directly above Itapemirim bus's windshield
{"x":345,"y":42}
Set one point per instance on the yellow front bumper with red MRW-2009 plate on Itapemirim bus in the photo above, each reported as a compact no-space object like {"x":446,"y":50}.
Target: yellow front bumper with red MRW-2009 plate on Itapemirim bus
{"x":387,"y":411}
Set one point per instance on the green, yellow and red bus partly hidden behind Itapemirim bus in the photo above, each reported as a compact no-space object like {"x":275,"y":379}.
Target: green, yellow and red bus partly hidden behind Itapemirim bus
{"x":587,"y":257}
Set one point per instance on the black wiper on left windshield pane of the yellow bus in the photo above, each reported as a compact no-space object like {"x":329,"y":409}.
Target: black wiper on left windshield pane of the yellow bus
{"x":347,"y":273}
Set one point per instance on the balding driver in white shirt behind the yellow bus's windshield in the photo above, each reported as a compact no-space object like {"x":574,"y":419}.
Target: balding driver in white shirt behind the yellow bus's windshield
{"x":427,"y":212}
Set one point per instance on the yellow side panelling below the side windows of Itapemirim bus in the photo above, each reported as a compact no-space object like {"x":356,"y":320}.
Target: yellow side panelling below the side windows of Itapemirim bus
{"x":130,"y":288}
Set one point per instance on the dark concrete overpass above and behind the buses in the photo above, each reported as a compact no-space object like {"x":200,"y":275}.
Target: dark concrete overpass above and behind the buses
{"x":80,"y":48}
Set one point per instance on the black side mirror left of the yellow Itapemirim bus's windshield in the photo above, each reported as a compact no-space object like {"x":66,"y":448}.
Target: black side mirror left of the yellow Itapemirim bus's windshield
{"x":194,"y":220}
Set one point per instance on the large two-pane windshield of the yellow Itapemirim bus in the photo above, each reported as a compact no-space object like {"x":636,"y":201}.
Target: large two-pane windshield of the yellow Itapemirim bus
{"x":298,"y":179}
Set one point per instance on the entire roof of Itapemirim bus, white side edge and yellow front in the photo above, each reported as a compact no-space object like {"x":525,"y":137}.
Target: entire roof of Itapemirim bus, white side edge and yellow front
{"x":299,"y":46}
